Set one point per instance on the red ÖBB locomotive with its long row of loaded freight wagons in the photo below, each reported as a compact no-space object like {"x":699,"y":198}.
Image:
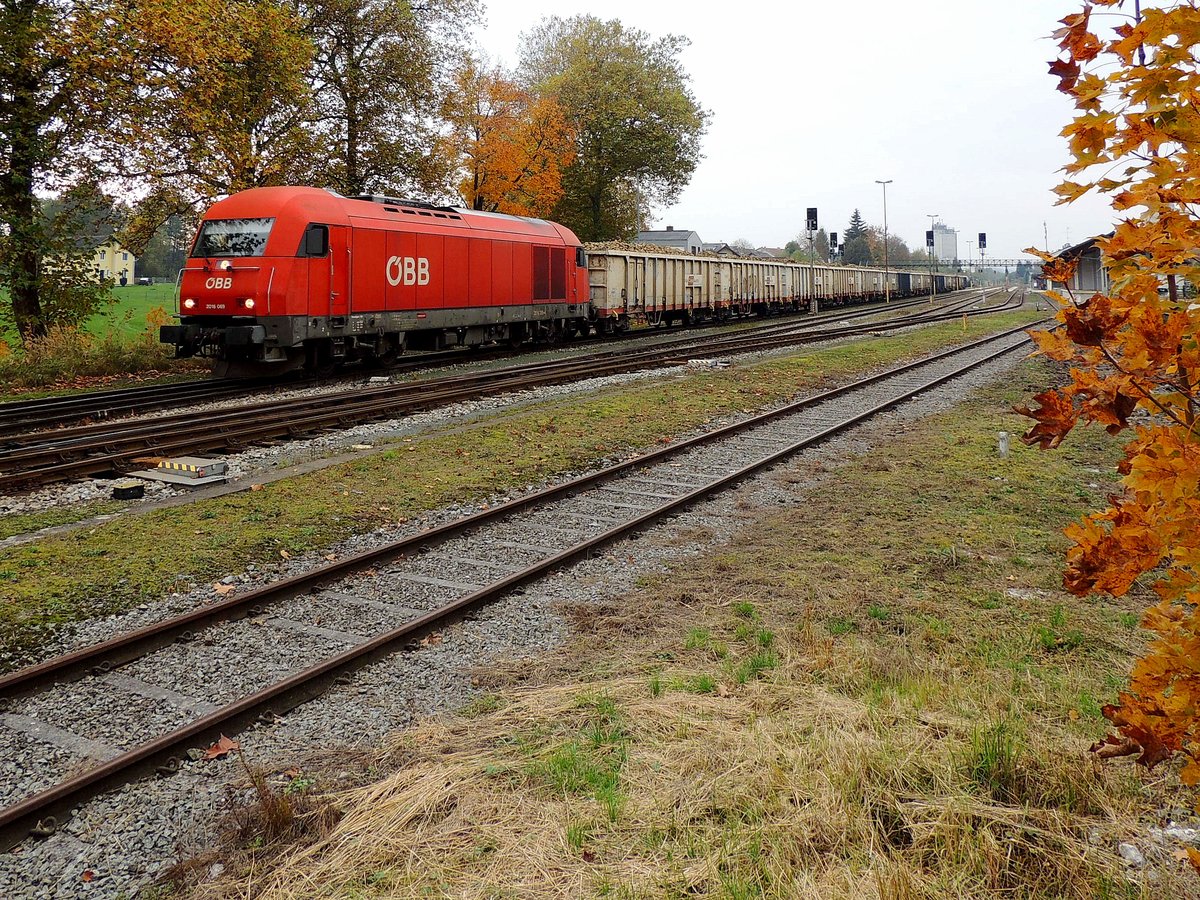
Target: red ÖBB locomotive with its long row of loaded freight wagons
{"x":284,"y":278}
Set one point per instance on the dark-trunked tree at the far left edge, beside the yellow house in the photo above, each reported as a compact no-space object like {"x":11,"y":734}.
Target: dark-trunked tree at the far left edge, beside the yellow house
{"x":59,"y":63}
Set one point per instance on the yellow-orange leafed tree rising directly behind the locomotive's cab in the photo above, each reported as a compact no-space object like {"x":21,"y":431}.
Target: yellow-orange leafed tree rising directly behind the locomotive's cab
{"x":225,"y":104}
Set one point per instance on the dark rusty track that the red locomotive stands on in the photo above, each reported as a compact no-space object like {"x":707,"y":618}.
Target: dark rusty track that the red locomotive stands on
{"x":44,"y":415}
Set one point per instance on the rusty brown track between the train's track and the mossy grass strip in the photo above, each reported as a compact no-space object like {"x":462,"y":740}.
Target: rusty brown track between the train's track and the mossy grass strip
{"x":98,"y":449}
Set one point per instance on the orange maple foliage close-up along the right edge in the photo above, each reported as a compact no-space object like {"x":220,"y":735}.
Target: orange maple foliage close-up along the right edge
{"x":1135,"y":353}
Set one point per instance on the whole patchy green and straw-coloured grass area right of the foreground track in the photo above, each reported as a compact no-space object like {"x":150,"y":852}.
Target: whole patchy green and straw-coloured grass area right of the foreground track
{"x":879,"y":693}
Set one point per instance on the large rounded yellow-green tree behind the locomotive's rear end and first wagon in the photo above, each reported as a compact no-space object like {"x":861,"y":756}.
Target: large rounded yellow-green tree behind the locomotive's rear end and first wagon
{"x":629,"y":103}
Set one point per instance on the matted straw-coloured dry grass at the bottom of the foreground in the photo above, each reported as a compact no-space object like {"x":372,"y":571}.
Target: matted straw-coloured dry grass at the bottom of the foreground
{"x":777,"y":789}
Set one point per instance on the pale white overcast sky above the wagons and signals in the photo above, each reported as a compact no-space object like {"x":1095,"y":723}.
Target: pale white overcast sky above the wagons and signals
{"x":812,"y":103}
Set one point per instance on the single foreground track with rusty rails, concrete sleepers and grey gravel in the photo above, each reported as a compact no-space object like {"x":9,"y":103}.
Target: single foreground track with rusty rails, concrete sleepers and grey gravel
{"x":310,"y":631}
